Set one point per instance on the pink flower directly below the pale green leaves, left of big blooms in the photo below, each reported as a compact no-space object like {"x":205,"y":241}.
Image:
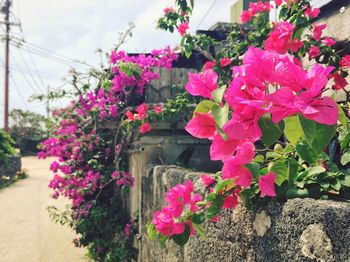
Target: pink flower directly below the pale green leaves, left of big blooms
{"x":201,"y":126}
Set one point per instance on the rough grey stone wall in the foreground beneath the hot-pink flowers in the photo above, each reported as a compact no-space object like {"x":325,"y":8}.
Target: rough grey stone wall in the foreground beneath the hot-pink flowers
{"x":301,"y":229}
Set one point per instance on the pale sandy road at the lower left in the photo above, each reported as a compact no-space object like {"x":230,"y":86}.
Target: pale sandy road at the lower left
{"x":26,"y":232}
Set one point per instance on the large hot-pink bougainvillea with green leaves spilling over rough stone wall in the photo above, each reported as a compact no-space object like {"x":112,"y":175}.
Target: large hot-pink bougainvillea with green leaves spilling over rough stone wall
{"x":266,"y":95}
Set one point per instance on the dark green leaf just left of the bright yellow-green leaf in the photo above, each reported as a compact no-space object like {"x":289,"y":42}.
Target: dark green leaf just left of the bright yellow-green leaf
{"x":271,"y":132}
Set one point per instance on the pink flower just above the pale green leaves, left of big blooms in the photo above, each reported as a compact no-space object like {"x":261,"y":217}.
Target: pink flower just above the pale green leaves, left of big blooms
{"x":202,"y":84}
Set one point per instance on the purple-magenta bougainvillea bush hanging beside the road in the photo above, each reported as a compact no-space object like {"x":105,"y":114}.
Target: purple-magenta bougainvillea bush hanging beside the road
{"x":90,"y":166}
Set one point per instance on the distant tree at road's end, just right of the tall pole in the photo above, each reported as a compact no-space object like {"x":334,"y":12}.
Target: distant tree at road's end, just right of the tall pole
{"x":28,"y":129}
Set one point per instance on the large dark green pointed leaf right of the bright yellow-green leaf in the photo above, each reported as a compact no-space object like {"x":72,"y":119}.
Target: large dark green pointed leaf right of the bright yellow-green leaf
{"x":317,"y":135}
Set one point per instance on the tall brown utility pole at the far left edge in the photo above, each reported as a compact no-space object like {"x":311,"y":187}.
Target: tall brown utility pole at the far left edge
{"x":6,"y":10}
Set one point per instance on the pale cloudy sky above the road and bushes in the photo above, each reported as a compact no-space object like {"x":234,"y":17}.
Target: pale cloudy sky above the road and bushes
{"x":76,"y":29}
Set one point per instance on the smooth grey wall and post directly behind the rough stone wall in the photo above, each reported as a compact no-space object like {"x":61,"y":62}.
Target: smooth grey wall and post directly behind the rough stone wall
{"x":163,"y":145}
